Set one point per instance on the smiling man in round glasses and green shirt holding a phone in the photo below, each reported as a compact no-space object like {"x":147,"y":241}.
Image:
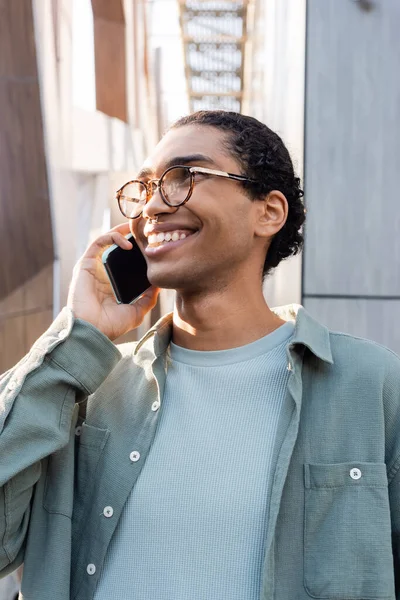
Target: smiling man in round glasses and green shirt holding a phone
{"x":236,"y":452}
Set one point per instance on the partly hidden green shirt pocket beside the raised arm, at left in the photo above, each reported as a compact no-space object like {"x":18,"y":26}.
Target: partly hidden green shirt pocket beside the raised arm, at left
{"x":90,"y":443}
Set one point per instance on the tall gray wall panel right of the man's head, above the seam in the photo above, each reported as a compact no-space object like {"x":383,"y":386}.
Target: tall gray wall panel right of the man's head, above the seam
{"x":352,"y":160}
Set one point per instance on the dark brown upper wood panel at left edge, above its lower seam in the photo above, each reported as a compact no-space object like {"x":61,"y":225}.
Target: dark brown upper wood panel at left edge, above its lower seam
{"x":26,"y":242}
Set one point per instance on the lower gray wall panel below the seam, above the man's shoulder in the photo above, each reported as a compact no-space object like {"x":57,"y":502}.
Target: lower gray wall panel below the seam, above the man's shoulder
{"x":372,"y":319}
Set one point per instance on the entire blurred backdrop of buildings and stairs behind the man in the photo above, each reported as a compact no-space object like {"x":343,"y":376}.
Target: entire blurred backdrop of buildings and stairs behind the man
{"x":87,"y":88}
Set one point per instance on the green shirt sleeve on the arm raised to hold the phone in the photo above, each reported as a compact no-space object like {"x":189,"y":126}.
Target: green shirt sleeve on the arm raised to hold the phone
{"x":37,"y":399}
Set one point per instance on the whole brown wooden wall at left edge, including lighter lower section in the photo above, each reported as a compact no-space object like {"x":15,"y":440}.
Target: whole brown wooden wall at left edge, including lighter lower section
{"x":26,"y":239}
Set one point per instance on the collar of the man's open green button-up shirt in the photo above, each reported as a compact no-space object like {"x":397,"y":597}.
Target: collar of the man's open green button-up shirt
{"x":308,"y":332}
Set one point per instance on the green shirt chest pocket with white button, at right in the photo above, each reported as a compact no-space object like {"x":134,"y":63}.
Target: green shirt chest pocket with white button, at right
{"x":347,"y":532}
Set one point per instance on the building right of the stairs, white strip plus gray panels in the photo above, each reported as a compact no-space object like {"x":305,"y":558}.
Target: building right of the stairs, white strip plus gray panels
{"x":322,"y":74}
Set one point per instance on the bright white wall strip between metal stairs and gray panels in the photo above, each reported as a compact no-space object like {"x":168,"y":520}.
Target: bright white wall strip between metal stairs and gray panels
{"x":274,"y":73}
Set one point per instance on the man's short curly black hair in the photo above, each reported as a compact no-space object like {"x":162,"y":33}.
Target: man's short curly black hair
{"x":263,"y":157}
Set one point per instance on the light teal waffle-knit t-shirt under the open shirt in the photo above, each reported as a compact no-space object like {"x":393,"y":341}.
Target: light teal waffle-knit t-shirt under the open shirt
{"x":194,"y":525}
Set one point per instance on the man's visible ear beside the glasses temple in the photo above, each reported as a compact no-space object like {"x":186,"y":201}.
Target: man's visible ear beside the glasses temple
{"x":271,"y":214}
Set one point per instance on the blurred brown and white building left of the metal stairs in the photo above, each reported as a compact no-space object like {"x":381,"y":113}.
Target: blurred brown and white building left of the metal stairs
{"x":82,"y":105}
